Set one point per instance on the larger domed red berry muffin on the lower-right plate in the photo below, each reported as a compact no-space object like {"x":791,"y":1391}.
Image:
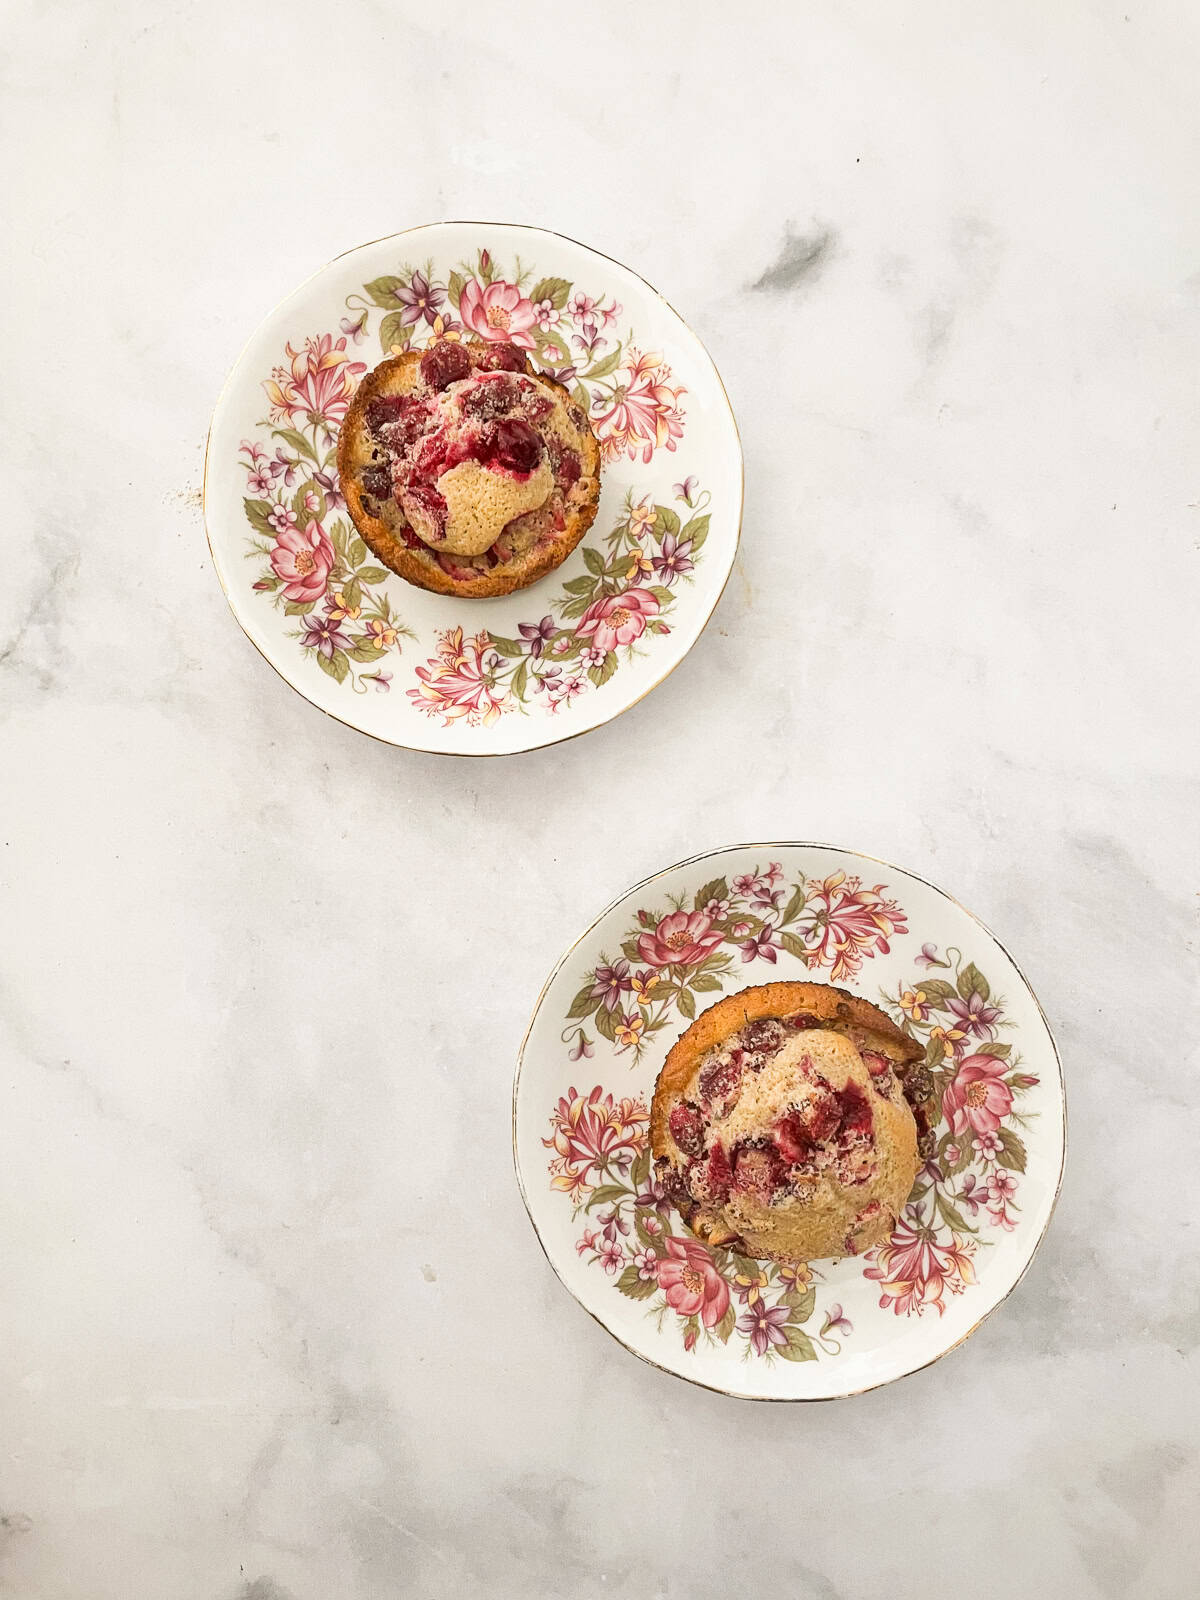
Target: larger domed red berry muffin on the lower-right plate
{"x":782,"y":1122}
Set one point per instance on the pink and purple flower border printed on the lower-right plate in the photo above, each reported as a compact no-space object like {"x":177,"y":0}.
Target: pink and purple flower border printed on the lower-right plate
{"x":967,"y":1097}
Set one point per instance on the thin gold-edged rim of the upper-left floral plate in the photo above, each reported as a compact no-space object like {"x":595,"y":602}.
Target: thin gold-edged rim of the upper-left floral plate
{"x":406,"y":233}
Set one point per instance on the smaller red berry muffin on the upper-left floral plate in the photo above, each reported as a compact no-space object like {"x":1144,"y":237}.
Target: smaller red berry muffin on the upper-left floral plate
{"x":466,"y":471}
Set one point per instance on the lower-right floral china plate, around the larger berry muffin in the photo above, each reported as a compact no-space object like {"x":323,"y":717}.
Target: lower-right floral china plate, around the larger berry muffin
{"x":634,"y":982}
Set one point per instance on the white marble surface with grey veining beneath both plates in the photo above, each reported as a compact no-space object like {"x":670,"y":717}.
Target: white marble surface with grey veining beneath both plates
{"x":274,"y":1322}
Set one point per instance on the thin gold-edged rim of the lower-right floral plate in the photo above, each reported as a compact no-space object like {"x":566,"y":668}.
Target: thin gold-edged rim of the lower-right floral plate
{"x":863,"y":855}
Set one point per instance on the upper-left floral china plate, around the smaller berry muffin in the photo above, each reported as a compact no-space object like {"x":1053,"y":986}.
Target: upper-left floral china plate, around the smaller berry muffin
{"x":476,"y":678}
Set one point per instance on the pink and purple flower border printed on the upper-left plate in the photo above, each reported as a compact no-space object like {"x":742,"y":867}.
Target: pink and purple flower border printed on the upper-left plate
{"x":311,"y":562}
